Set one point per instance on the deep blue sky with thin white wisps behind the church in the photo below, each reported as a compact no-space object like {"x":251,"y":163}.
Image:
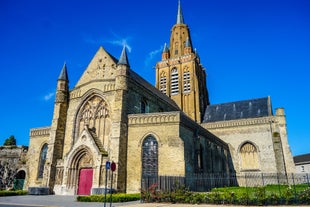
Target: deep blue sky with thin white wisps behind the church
{"x":250,"y":48}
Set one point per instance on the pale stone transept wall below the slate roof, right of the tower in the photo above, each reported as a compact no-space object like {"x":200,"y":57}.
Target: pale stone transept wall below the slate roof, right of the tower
{"x":267,"y":134}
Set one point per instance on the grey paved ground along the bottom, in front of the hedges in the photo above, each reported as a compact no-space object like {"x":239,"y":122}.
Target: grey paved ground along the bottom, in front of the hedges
{"x":70,"y":201}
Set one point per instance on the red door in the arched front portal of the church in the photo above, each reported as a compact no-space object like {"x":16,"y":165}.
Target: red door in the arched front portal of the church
{"x":85,"y":181}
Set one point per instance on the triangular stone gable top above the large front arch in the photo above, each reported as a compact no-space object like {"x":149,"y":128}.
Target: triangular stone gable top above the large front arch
{"x":102,"y":66}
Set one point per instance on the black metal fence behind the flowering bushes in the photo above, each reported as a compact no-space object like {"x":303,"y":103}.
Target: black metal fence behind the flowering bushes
{"x":206,"y":182}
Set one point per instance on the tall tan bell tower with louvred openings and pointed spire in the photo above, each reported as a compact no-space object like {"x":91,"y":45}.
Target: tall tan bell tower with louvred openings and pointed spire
{"x":180,"y":75}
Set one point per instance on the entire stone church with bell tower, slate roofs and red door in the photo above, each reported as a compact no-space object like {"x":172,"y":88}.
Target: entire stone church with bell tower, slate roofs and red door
{"x":170,"y":129}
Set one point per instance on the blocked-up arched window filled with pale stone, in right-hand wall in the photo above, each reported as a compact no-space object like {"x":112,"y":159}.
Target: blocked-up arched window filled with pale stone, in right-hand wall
{"x":249,"y":157}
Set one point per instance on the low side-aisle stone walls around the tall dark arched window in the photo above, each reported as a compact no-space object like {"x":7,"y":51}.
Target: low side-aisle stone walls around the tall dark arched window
{"x":179,"y":140}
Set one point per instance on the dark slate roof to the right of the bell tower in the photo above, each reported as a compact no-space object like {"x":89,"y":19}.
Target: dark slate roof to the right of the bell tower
{"x":253,"y":108}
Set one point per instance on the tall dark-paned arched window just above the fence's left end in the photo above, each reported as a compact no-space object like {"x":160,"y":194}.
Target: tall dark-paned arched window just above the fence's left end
{"x":149,"y":157}
